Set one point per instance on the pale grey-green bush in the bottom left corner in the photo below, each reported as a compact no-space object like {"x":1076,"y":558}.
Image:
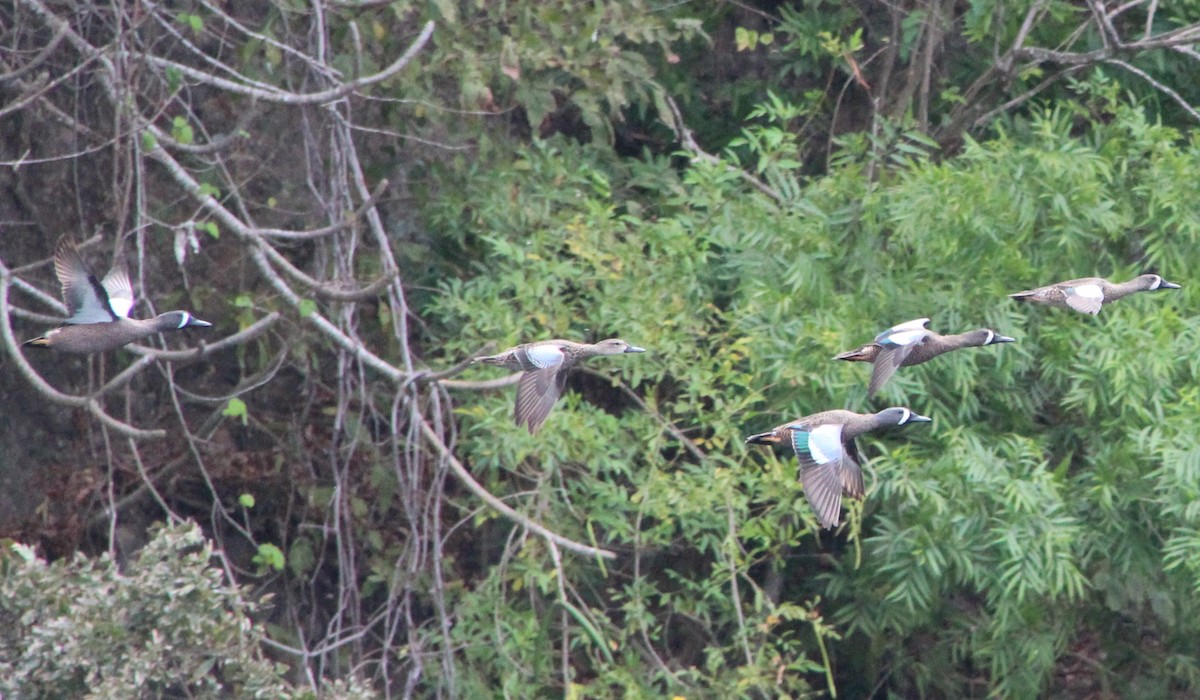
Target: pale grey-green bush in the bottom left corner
{"x":166,"y":626}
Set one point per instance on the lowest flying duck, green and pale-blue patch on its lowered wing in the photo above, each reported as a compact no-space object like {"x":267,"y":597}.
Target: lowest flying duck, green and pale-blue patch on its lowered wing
{"x":831,"y":464}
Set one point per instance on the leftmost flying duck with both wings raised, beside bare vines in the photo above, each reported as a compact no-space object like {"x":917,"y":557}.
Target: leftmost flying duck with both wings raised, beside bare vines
{"x":100,"y":310}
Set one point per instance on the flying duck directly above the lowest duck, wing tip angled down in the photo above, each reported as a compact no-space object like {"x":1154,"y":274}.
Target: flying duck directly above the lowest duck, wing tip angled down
{"x":913,"y":344}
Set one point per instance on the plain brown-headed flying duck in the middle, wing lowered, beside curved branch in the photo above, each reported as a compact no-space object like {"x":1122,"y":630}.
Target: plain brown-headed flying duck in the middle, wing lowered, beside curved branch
{"x":545,"y":366}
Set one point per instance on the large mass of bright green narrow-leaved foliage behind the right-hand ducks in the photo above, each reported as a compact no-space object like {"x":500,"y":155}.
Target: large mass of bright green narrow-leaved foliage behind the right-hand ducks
{"x":1025,"y":519}
